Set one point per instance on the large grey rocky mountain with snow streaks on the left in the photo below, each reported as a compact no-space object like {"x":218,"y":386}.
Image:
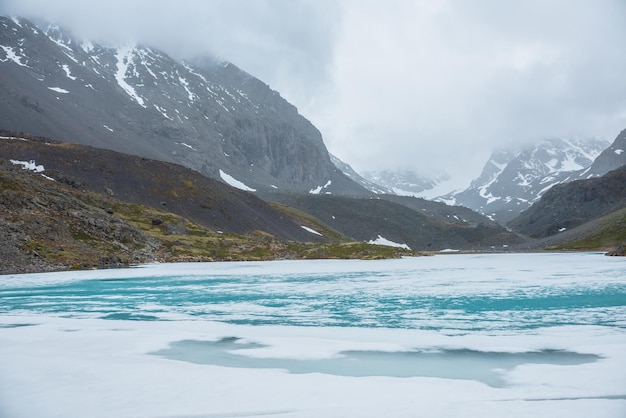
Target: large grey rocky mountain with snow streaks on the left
{"x":206,"y":115}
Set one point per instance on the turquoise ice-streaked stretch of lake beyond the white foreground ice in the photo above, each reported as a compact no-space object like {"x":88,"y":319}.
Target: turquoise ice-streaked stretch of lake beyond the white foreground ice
{"x":490,"y":292}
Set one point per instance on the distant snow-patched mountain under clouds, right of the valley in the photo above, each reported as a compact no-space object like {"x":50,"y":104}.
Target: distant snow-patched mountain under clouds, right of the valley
{"x":512,"y":180}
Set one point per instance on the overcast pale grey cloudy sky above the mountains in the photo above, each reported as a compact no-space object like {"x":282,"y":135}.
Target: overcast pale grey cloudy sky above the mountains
{"x":421,"y":85}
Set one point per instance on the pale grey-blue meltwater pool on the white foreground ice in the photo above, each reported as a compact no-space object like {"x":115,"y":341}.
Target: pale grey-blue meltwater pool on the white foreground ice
{"x":486,"y":367}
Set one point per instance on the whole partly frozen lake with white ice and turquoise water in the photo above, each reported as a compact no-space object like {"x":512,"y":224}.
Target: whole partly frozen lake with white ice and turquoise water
{"x":521,"y":335}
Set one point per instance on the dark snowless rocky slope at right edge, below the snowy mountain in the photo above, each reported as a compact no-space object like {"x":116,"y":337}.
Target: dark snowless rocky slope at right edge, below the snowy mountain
{"x":568,"y":205}
